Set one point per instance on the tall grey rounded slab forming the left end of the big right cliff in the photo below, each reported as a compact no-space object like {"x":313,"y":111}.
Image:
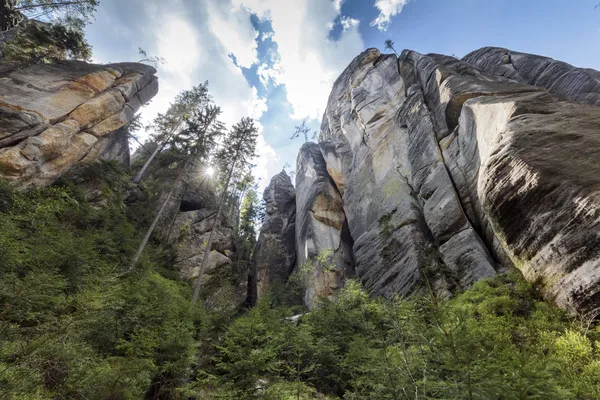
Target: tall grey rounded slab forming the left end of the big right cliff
{"x":392,"y":245}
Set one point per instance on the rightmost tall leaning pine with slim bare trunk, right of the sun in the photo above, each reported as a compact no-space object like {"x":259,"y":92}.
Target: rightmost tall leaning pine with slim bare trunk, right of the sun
{"x":239,"y":148}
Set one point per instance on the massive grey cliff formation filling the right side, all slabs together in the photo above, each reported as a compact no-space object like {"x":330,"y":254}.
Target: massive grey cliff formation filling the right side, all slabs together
{"x":450,"y":174}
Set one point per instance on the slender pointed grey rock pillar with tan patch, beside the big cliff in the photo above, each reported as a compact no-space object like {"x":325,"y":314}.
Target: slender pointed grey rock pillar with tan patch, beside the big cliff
{"x":323,"y":245}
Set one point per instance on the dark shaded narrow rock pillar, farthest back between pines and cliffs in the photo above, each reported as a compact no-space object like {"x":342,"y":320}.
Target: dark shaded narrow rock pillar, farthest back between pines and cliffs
{"x":275,"y":251}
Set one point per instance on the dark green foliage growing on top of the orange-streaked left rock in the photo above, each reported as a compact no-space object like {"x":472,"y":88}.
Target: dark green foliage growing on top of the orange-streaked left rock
{"x":44,"y":43}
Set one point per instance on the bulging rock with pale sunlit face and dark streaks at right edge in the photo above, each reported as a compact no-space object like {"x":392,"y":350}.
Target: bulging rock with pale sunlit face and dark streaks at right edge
{"x":538,"y":186}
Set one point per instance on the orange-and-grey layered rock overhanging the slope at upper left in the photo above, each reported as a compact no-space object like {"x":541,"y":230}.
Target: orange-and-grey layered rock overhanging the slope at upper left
{"x":53,"y":116}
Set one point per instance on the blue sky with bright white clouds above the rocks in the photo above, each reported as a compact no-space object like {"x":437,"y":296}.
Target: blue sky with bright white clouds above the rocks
{"x":275,"y":60}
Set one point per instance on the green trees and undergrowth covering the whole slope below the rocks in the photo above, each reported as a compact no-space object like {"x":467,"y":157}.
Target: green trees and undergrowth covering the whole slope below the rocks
{"x":72,"y":327}
